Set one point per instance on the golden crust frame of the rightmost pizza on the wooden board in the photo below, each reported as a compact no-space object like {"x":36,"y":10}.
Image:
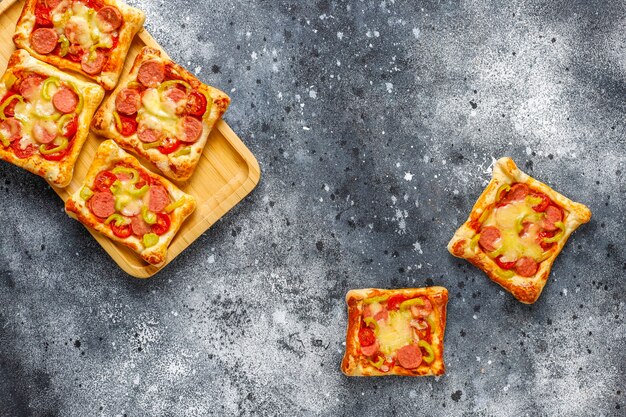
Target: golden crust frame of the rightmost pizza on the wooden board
{"x":181,"y":167}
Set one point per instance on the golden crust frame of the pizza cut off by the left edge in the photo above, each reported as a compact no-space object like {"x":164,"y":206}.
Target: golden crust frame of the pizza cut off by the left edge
{"x":58,"y":173}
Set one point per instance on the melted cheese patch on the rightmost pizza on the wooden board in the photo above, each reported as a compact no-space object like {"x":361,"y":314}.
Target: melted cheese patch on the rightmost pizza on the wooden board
{"x":158,"y":113}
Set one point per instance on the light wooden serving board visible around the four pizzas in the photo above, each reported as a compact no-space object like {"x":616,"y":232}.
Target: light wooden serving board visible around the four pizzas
{"x":226,"y":173}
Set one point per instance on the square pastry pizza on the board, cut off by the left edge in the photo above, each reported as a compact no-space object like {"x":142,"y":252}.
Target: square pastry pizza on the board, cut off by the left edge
{"x":45,"y":116}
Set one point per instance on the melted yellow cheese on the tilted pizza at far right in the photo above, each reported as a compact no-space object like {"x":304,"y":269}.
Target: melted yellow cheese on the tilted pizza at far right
{"x":509,"y":219}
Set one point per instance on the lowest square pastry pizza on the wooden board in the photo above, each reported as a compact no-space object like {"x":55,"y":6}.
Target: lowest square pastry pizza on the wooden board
{"x":129,"y":204}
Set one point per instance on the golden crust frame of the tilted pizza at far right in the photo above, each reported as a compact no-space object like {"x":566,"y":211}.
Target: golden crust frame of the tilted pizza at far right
{"x":525,"y":289}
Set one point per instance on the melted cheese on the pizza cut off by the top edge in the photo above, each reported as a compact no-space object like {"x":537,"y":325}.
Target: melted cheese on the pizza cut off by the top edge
{"x":81,"y":25}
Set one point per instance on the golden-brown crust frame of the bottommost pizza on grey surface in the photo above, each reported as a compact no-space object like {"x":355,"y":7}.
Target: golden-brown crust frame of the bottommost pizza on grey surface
{"x":355,"y":364}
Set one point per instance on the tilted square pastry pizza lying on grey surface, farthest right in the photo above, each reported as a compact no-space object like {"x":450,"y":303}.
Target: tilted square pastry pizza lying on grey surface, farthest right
{"x":516,"y":230}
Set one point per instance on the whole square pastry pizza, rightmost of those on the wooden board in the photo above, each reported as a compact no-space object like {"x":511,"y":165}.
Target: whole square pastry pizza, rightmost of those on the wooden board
{"x":161,"y":112}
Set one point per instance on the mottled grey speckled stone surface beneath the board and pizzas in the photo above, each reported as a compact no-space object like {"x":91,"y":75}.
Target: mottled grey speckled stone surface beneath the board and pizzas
{"x":375,"y":124}
